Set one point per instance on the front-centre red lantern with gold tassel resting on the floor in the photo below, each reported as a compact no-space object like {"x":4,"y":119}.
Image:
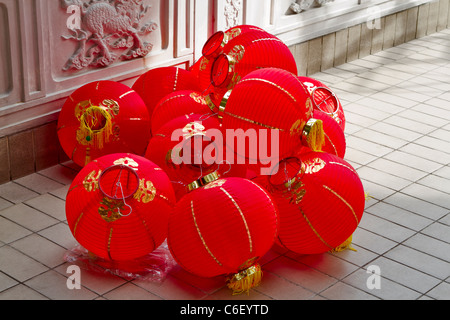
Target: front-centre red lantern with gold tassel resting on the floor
{"x":223,"y":227}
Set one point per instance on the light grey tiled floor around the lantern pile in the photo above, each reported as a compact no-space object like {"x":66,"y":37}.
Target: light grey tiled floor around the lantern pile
{"x":397,"y":106}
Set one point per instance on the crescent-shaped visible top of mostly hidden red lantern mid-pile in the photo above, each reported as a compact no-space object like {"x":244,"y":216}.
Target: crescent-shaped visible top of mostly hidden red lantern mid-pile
{"x":176,"y":104}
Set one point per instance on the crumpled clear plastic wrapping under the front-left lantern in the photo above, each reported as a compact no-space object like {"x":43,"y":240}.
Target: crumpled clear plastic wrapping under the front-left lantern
{"x":152,"y":267}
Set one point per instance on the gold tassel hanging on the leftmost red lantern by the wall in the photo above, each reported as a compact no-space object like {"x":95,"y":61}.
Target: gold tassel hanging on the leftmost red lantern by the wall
{"x":96,"y":126}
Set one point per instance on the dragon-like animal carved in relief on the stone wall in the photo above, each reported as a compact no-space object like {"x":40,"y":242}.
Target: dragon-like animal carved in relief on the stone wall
{"x":109,"y":25}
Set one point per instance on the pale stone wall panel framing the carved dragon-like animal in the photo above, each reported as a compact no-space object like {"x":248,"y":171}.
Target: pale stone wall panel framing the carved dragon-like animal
{"x":108,"y":39}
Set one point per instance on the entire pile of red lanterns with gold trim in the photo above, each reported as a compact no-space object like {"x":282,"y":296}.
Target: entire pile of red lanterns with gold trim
{"x":223,"y":161}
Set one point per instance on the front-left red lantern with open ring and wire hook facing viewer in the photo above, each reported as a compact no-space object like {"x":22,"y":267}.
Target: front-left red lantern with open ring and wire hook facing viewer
{"x":118,"y":206}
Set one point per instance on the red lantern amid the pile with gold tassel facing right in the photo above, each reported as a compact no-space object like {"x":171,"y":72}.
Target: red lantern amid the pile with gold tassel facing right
{"x":269,"y":100}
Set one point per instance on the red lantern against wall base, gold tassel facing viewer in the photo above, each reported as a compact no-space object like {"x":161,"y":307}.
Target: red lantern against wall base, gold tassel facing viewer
{"x":101,"y":118}
